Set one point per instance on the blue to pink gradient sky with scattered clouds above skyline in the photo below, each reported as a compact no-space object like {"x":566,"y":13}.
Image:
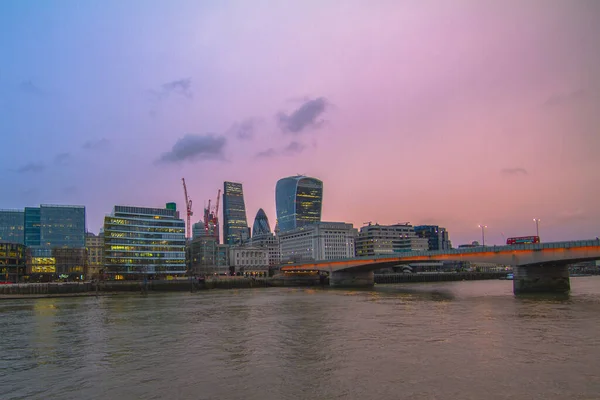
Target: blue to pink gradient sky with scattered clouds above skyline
{"x":456,"y":113}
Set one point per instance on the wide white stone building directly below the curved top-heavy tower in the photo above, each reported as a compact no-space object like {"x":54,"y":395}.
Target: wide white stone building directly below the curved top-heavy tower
{"x":319,"y":241}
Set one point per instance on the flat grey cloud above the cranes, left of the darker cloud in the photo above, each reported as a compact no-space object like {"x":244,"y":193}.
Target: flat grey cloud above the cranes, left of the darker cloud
{"x":194,"y":147}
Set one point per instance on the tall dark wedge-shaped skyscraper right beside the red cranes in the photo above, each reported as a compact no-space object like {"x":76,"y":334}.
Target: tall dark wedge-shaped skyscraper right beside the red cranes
{"x":235,"y":224}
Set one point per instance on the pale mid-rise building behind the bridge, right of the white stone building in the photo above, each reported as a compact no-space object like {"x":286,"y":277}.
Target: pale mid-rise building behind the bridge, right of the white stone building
{"x":375,"y":240}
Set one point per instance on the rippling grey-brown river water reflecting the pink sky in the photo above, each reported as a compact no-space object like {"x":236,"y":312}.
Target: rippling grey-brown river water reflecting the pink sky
{"x":452,"y":340}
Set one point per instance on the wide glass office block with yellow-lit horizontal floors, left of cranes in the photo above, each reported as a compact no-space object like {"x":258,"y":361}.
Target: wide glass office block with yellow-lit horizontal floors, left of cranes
{"x":142,"y":241}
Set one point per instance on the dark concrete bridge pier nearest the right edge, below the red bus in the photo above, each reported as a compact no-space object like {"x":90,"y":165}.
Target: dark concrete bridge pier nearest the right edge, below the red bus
{"x":541,"y":278}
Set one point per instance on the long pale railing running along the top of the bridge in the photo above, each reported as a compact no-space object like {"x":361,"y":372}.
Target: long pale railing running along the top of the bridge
{"x":468,"y":250}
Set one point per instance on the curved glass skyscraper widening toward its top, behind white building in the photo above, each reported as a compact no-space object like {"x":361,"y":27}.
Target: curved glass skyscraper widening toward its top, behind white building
{"x":298,"y":200}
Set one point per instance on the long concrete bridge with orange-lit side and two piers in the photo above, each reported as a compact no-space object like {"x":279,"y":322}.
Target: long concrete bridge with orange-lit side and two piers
{"x":539,"y":267}
